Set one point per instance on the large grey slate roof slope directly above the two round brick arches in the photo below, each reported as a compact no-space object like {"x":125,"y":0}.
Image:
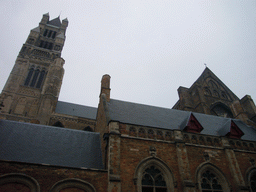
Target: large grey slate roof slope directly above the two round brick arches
{"x":40,"y":144}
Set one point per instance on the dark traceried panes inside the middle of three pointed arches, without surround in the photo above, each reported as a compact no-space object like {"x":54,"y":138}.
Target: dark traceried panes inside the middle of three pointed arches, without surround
{"x":209,"y":182}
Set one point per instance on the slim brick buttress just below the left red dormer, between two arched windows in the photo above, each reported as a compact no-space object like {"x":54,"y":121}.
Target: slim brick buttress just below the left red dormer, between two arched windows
{"x":183,"y":163}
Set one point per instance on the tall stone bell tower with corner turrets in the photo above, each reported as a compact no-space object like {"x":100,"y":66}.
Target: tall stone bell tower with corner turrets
{"x":32,"y":89}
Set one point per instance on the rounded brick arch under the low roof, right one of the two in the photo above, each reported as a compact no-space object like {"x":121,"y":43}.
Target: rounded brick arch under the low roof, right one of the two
{"x":72,"y":184}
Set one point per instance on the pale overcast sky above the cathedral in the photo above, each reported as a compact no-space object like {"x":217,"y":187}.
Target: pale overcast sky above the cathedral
{"x":148,"y":47}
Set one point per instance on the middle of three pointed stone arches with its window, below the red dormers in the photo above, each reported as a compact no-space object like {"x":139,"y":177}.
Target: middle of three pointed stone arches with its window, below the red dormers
{"x":211,"y":178}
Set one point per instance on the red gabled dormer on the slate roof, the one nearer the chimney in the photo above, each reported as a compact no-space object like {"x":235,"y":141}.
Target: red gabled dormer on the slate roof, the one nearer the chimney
{"x":191,"y":124}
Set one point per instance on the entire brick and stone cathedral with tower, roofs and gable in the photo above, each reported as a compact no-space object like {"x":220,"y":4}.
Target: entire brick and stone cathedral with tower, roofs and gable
{"x":205,"y":143}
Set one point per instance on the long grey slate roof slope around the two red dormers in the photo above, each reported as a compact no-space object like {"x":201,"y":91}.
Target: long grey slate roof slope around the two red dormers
{"x":151,"y":116}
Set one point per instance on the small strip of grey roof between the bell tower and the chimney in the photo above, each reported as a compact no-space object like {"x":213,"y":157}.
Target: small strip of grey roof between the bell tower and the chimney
{"x":76,"y":110}
